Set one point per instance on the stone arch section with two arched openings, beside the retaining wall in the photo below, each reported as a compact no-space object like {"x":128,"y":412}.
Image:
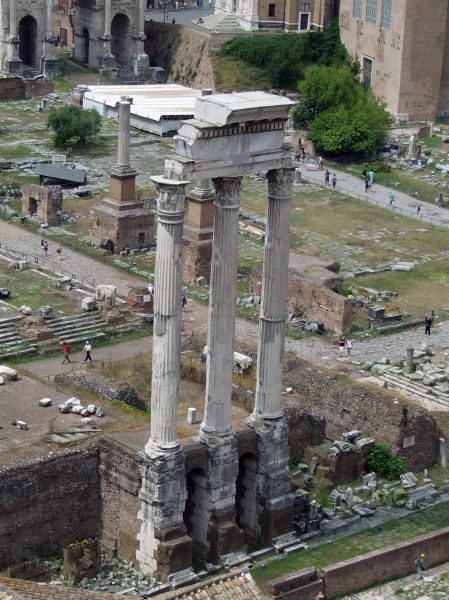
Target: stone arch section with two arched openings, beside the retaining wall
{"x":109,"y":35}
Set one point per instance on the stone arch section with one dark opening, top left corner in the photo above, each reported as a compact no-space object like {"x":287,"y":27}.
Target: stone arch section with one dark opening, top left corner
{"x":27,"y":42}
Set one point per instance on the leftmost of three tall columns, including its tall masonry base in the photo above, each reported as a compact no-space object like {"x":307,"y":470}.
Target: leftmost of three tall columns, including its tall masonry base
{"x":164,"y":546}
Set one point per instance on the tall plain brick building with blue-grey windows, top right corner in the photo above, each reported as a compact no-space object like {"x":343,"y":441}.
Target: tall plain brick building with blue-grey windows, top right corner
{"x":403,"y":49}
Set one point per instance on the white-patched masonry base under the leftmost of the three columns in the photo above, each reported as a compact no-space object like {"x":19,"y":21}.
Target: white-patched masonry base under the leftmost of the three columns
{"x":165,"y":547}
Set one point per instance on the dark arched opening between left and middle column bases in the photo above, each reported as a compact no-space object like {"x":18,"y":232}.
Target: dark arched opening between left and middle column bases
{"x":196,"y":514}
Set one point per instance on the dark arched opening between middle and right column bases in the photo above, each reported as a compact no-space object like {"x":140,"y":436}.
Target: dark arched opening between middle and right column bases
{"x":246,"y":497}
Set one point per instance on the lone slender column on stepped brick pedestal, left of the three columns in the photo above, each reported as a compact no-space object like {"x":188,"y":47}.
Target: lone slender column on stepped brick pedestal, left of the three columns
{"x":121,"y":221}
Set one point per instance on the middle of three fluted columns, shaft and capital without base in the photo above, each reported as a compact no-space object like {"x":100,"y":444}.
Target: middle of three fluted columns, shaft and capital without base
{"x":220,"y":339}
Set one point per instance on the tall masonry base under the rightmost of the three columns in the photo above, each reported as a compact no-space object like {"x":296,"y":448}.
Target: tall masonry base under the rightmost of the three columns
{"x":274,"y":497}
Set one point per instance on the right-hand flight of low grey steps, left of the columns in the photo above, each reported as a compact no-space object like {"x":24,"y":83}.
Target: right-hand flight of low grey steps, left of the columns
{"x":78,"y":328}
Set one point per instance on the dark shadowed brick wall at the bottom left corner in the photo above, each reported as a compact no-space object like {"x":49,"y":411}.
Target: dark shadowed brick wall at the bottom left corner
{"x":48,"y":504}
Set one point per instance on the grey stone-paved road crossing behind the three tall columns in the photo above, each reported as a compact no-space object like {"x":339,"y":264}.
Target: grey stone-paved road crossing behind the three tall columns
{"x":314,"y":349}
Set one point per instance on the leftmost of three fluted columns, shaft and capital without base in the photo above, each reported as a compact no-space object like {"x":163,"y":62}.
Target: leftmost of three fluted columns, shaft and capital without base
{"x":167,"y":313}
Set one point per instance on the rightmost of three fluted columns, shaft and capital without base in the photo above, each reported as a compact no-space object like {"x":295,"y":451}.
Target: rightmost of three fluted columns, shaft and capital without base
{"x":274,"y":296}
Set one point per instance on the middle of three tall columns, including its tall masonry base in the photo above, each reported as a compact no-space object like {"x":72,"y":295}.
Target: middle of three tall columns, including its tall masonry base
{"x":222,"y":534}
